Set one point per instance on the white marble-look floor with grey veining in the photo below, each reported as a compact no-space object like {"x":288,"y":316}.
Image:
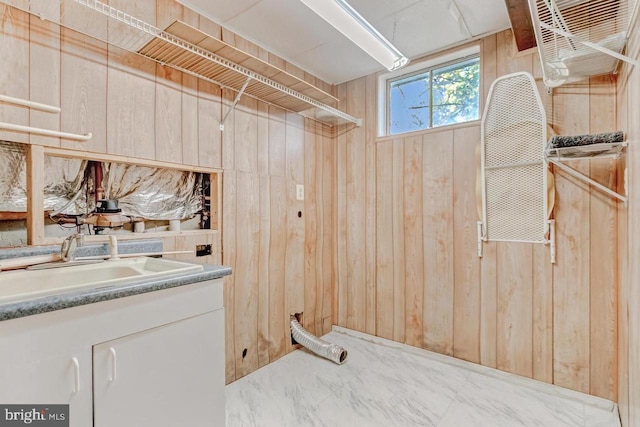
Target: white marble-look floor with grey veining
{"x":389,"y":384}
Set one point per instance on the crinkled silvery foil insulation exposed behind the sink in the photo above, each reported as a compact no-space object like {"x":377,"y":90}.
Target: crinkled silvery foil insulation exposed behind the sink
{"x":149,"y":193}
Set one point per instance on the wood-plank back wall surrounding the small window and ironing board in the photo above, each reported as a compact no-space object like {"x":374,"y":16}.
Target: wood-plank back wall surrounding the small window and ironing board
{"x":512,"y":309}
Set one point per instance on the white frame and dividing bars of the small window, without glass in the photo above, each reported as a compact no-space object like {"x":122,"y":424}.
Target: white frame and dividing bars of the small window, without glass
{"x":422,"y":67}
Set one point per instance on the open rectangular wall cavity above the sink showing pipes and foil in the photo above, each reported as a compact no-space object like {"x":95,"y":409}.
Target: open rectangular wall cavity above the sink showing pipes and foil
{"x":99,"y":196}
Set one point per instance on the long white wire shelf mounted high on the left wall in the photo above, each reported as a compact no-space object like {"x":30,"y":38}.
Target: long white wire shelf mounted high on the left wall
{"x":130,"y":33}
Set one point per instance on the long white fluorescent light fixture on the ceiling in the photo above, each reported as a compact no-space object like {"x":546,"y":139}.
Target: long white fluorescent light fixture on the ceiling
{"x":345,"y":19}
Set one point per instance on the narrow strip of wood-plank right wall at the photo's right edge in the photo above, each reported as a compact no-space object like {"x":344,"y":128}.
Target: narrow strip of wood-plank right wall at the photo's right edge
{"x":629,"y":231}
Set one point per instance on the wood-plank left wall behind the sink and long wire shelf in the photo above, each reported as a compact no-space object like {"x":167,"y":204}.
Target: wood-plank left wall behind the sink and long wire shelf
{"x":281,"y":249}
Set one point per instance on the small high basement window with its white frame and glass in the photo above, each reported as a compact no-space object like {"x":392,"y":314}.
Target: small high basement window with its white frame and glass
{"x":442,"y":91}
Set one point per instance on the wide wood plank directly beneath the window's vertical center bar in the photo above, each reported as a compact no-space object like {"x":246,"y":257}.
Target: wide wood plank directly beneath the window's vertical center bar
{"x":437,"y":208}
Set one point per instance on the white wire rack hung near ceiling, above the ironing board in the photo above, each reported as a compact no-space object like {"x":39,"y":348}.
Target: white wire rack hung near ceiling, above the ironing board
{"x":581,"y":38}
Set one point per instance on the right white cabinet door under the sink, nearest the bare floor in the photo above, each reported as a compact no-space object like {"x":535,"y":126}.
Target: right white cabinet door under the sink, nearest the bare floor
{"x":167,"y":376}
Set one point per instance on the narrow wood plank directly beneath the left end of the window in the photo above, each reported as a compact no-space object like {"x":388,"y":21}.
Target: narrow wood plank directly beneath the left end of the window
{"x":384,"y":240}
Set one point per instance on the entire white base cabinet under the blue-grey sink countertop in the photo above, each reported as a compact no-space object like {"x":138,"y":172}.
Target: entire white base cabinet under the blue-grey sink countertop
{"x":154,"y":359}
